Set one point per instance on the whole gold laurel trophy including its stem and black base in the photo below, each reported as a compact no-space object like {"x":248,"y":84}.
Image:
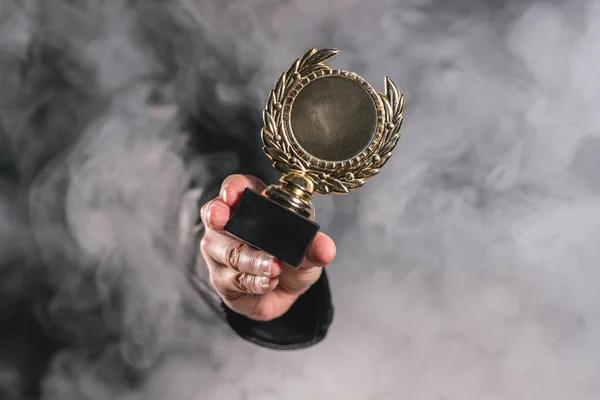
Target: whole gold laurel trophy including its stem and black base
{"x":326,"y":131}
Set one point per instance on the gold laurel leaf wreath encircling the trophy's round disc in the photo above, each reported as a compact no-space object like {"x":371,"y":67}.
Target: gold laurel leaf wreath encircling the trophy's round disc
{"x":278,"y":148}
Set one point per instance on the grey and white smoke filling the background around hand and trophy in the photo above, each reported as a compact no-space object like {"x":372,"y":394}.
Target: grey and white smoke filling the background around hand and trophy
{"x":465,"y":270}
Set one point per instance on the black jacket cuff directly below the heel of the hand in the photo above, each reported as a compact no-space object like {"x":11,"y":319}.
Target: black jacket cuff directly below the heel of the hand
{"x":305,"y":324}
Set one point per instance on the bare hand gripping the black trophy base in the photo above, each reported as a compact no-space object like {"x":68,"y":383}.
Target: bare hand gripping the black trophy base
{"x":252,"y":282}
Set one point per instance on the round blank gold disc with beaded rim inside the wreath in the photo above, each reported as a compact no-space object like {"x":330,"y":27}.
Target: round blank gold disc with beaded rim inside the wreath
{"x":333,"y":118}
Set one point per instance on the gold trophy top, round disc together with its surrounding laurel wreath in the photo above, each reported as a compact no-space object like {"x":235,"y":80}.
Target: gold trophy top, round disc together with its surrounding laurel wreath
{"x":330,"y":126}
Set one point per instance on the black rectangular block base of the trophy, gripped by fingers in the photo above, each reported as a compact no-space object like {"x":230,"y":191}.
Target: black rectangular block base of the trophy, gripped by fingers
{"x":268,"y":226}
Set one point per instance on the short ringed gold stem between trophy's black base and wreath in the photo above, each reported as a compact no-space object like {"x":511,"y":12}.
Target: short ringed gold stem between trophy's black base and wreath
{"x":294,"y":193}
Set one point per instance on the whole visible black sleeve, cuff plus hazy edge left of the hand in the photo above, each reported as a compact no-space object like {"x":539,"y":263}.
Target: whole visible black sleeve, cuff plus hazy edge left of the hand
{"x":305,"y":324}
